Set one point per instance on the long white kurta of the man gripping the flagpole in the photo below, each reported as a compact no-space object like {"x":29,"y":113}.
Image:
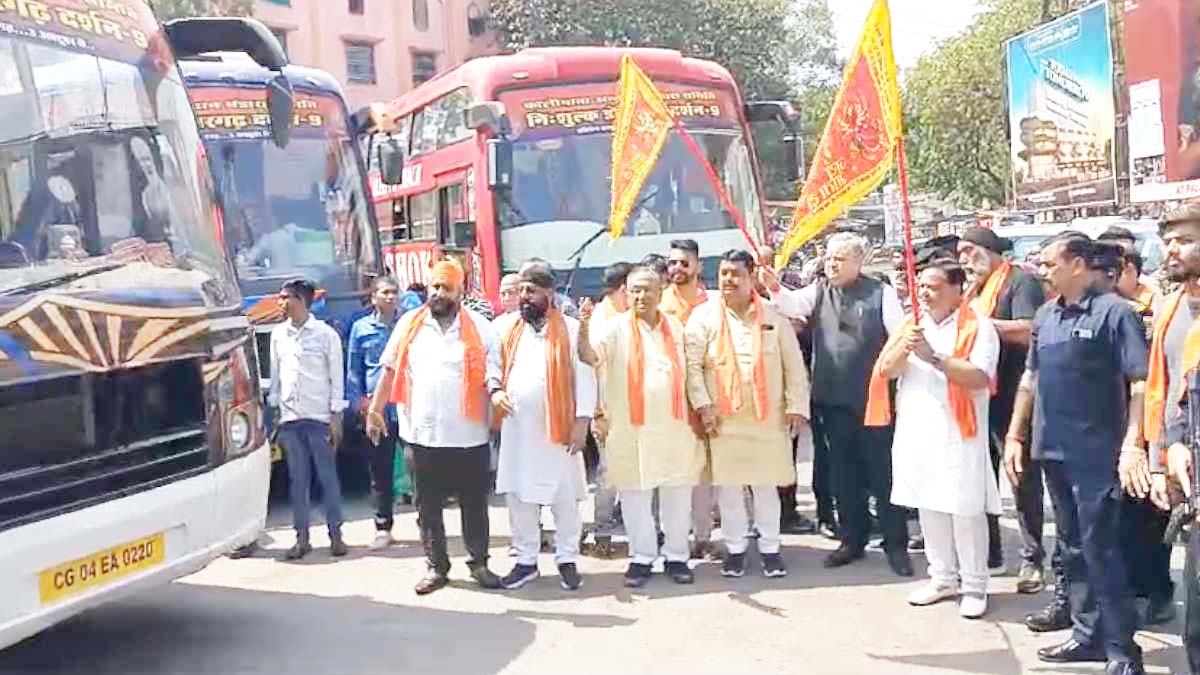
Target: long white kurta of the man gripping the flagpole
{"x":934,"y":467}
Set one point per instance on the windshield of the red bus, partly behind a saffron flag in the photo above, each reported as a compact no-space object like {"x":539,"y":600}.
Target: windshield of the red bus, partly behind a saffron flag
{"x":561,"y":166}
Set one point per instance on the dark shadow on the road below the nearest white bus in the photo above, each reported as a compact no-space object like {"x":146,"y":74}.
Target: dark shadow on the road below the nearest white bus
{"x":190,"y":630}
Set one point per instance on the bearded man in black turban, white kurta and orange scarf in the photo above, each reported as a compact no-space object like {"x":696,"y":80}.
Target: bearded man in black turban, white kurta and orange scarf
{"x":536,"y":471}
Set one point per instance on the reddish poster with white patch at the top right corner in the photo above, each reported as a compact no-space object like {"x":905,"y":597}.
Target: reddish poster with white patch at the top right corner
{"x":1162,"y":68}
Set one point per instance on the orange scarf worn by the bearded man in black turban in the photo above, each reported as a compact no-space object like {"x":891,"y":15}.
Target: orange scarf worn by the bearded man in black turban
{"x":560,"y":374}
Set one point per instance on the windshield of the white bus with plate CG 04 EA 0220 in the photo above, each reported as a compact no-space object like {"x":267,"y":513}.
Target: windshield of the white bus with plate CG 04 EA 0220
{"x":100,"y":168}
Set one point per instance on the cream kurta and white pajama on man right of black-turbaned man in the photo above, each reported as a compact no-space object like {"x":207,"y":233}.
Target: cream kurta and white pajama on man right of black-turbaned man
{"x":662,"y":455}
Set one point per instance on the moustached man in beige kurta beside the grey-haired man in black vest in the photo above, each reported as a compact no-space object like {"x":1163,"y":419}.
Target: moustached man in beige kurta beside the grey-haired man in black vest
{"x":752,"y":401}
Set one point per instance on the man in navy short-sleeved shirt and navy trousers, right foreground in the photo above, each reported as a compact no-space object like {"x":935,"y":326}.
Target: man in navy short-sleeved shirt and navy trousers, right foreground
{"x":1088,"y":363}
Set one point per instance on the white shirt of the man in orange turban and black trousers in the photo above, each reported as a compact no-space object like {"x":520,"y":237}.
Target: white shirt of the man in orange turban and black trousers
{"x":434,"y":417}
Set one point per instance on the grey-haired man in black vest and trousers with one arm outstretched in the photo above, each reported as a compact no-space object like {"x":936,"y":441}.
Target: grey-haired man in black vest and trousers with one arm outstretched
{"x":850,"y":318}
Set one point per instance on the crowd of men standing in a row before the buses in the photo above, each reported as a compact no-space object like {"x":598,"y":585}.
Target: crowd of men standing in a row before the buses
{"x":1071,"y":380}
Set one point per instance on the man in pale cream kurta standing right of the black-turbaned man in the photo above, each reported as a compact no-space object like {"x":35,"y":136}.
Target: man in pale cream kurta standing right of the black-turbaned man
{"x":650,"y":445}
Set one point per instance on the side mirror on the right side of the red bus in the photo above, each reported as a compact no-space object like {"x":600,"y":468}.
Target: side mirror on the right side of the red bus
{"x":776,"y":128}
